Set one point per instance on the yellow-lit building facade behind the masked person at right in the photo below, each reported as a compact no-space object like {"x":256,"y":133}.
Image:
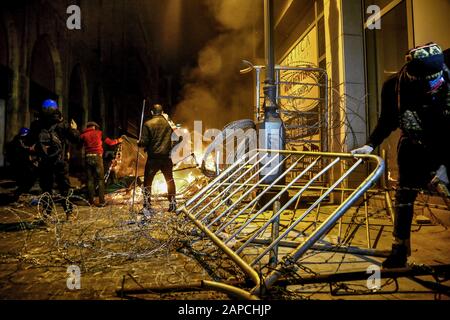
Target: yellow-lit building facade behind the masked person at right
{"x":360,"y":43}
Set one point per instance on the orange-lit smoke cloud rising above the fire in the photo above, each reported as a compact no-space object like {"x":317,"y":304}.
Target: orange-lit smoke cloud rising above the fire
{"x":214,"y":91}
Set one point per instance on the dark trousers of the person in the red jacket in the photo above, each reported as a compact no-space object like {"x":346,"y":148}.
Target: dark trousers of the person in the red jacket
{"x":95,"y":177}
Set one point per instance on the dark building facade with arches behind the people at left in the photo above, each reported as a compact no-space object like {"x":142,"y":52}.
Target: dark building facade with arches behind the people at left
{"x":99,"y":72}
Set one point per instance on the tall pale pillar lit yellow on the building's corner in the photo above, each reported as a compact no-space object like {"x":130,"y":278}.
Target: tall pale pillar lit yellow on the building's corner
{"x":345,"y":66}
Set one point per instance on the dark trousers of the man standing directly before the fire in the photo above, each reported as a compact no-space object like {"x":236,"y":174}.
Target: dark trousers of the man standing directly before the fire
{"x":151,"y":169}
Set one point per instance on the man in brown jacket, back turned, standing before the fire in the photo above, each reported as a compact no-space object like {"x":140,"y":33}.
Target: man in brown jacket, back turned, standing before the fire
{"x":157,"y":141}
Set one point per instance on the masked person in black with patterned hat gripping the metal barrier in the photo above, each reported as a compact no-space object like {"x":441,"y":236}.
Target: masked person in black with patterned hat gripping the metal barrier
{"x":416,"y":100}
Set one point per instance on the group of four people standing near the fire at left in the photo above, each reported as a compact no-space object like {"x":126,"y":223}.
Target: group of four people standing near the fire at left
{"x":41,"y":153}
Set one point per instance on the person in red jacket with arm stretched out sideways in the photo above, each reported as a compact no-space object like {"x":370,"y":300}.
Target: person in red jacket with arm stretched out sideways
{"x":92,"y":138}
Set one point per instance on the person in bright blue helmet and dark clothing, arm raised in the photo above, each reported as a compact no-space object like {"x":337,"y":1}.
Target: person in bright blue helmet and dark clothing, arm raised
{"x":52,"y":134}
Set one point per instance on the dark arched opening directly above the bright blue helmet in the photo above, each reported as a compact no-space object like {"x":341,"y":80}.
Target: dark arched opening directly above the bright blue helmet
{"x":45,"y":73}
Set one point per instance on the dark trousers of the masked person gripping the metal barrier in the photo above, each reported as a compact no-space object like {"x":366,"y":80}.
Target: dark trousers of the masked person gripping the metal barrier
{"x":416,"y":166}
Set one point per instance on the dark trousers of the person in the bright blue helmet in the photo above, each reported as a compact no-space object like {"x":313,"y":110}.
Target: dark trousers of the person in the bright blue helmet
{"x":56,"y":171}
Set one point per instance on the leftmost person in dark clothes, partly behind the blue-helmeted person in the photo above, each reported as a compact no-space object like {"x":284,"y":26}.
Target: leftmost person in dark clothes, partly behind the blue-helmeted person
{"x":20,"y":156}
